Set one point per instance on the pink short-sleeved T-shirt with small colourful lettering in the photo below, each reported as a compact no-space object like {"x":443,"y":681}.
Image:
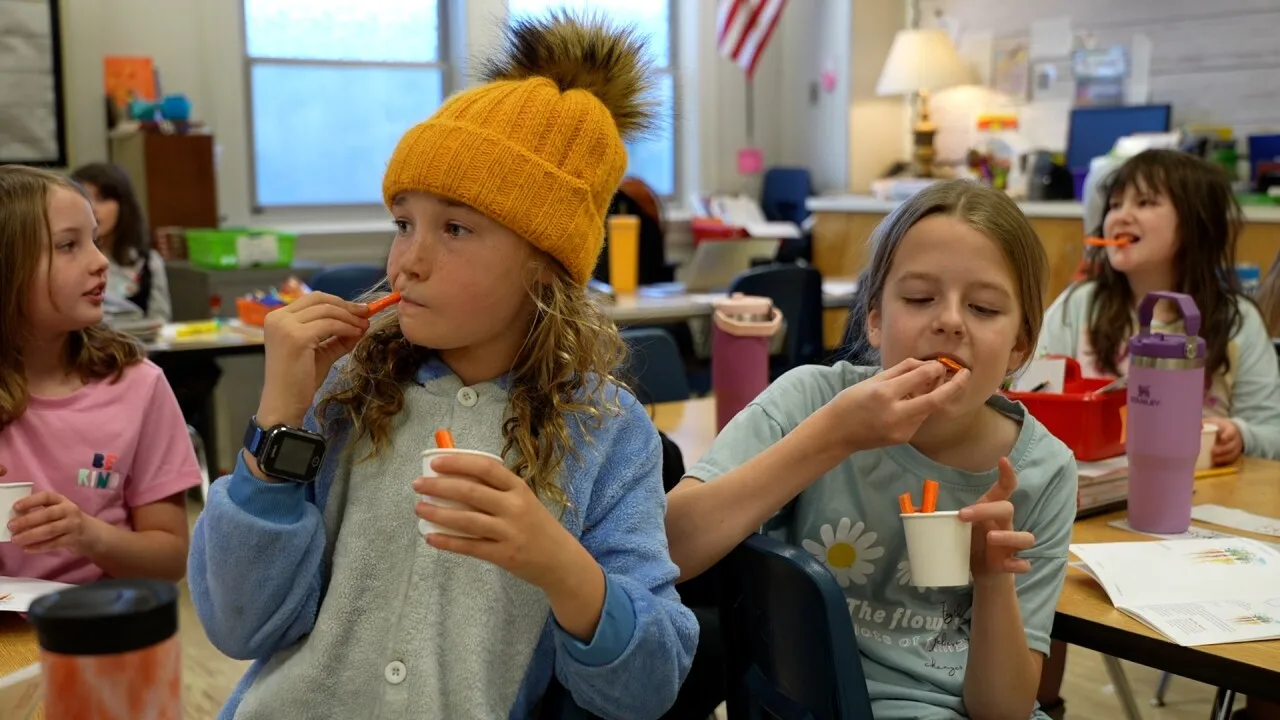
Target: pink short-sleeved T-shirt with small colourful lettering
{"x":107,"y":448}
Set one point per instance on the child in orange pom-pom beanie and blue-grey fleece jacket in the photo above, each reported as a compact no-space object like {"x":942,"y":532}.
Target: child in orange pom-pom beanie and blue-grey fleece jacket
{"x":499,"y":203}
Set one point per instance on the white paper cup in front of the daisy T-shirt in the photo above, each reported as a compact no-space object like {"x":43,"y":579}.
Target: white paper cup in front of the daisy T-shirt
{"x":938,"y":549}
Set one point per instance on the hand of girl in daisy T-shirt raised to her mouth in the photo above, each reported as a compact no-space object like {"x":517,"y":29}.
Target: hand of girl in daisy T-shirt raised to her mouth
{"x":889,"y":408}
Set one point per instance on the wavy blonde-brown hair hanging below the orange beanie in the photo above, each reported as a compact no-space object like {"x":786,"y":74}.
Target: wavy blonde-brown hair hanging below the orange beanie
{"x":560,"y":382}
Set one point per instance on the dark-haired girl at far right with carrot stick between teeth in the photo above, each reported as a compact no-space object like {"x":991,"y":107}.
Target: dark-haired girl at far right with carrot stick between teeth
{"x":1182,"y":222}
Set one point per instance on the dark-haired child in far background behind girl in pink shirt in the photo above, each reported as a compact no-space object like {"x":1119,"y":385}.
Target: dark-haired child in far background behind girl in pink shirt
{"x":136,"y":271}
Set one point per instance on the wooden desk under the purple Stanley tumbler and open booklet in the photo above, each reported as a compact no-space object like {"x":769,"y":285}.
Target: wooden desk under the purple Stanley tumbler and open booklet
{"x":1087,"y":618}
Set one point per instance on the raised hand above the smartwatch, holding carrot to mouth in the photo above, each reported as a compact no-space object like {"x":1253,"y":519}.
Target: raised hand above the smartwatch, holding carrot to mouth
{"x":304,"y":340}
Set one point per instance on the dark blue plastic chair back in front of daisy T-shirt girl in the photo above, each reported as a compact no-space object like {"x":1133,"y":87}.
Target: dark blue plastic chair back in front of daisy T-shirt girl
{"x":789,"y":644}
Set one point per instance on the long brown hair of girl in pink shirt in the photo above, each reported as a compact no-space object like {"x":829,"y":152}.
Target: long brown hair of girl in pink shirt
{"x":26,"y":236}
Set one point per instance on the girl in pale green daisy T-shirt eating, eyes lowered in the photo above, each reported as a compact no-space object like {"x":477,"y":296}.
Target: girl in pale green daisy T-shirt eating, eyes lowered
{"x":957,"y":275}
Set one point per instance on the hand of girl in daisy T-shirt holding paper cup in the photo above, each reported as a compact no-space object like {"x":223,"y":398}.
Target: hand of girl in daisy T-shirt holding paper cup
{"x":995,"y":543}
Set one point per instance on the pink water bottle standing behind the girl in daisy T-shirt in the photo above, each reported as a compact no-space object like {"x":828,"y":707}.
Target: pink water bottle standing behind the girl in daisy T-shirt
{"x":740,"y":352}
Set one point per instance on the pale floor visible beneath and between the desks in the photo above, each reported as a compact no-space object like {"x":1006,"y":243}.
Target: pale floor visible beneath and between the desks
{"x":209,"y":678}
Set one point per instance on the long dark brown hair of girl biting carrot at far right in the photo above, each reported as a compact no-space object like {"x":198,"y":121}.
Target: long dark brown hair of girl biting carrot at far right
{"x":1209,"y":225}
